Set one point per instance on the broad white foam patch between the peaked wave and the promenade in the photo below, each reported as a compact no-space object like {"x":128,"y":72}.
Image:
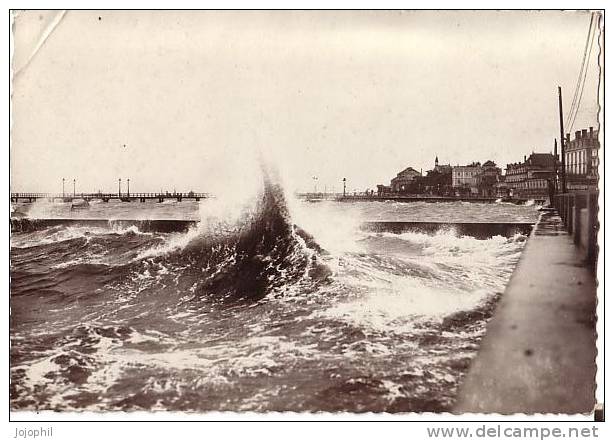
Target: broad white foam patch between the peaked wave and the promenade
{"x":388,"y":300}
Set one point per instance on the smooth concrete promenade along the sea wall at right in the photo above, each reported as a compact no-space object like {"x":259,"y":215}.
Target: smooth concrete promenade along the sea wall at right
{"x":538,"y":354}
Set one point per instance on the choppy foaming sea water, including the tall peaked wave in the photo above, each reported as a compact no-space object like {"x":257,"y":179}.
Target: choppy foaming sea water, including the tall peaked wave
{"x":248,"y":313}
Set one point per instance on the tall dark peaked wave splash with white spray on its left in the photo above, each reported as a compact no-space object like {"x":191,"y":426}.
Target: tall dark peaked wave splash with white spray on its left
{"x":245,"y":253}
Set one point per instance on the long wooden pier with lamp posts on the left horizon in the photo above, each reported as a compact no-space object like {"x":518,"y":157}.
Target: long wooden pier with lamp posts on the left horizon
{"x":106,"y":197}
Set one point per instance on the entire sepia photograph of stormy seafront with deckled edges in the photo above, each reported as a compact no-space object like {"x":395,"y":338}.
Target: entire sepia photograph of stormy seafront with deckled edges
{"x":311,"y":211}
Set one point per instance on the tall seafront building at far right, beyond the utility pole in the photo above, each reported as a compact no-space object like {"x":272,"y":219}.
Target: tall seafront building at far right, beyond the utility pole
{"x":582,"y":160}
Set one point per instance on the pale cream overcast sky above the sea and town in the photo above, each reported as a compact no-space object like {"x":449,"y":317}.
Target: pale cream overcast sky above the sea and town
{"x":191,"y":100}
